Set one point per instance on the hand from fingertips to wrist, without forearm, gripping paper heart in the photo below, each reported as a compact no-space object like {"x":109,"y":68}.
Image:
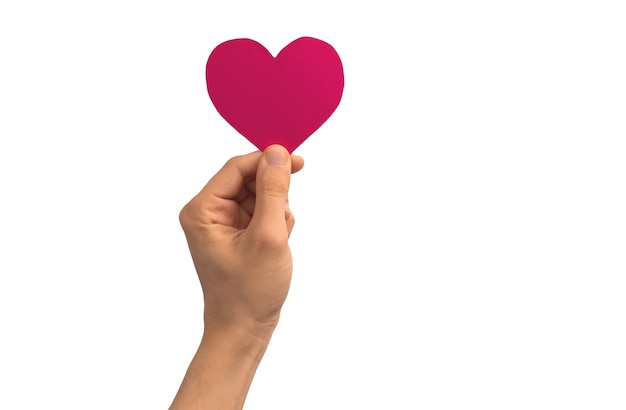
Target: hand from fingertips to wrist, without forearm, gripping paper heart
{"x":237,"y":229}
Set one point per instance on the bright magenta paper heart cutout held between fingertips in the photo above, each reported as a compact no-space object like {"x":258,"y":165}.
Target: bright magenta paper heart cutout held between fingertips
{"x":280,"y":100}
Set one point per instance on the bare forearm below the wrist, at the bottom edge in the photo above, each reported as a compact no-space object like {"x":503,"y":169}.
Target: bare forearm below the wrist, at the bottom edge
{"x":222,"y":369}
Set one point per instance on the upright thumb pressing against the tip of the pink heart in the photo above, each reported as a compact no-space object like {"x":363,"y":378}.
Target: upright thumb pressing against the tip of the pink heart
{"x":272,"y":188}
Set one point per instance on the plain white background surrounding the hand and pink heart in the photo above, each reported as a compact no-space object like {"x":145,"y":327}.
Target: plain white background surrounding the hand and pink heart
{"x":460,"y":239}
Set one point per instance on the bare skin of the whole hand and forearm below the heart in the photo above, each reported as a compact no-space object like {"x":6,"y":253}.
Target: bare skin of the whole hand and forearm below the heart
{"x":237,"y":228}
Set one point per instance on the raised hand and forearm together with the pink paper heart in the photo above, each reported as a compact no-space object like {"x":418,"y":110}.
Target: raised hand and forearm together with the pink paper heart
{"x":238,"y":226}
